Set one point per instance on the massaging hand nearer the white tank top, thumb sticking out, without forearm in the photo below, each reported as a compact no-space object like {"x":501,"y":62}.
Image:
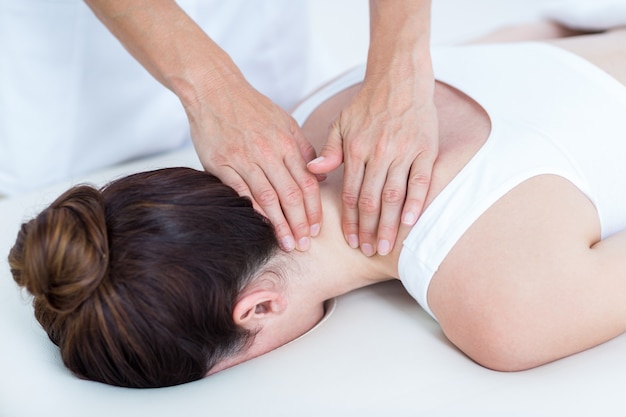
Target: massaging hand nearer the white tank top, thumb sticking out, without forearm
{"x":388,"y":140}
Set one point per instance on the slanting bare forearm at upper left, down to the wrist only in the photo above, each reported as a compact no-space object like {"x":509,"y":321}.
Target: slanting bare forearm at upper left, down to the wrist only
{"x":170,"y":45}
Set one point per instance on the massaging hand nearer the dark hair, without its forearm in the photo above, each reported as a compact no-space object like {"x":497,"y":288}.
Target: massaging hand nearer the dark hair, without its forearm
{"x":258,"y":149}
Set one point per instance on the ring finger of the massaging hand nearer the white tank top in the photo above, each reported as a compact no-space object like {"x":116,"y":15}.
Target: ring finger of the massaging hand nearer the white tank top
{"x":392,"y":200}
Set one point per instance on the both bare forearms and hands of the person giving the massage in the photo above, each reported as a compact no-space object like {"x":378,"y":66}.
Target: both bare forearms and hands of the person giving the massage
{"x":258,"y":149}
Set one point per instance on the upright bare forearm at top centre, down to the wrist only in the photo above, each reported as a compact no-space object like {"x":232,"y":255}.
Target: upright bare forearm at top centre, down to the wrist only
{"x":400,"y":38}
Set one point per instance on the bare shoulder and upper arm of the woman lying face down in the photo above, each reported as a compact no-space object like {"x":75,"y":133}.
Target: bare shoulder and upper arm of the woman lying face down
{"x":530,"y":281}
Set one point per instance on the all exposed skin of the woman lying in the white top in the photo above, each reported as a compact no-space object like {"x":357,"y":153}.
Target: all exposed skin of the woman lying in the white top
{"x":568,"y":311}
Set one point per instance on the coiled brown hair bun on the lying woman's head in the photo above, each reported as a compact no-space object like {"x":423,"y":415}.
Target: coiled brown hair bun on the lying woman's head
{"x":61,"y":256}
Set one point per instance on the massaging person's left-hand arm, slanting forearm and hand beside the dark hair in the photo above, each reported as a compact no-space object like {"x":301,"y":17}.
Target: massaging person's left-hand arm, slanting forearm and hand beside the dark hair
{"x":242,"y":137}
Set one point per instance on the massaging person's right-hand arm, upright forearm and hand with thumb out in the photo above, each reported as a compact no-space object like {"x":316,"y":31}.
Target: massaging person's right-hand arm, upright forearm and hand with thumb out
{"x":387,"y":137}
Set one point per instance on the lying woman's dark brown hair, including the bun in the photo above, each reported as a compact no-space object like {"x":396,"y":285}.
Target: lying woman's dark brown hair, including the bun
{"x":136,"y":282}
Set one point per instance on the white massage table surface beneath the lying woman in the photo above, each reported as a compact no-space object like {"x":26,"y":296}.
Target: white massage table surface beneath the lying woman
{"x":376,"y":354}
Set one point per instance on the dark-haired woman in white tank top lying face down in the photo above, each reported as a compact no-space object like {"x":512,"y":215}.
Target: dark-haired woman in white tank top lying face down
{"x":166,"y":276}
